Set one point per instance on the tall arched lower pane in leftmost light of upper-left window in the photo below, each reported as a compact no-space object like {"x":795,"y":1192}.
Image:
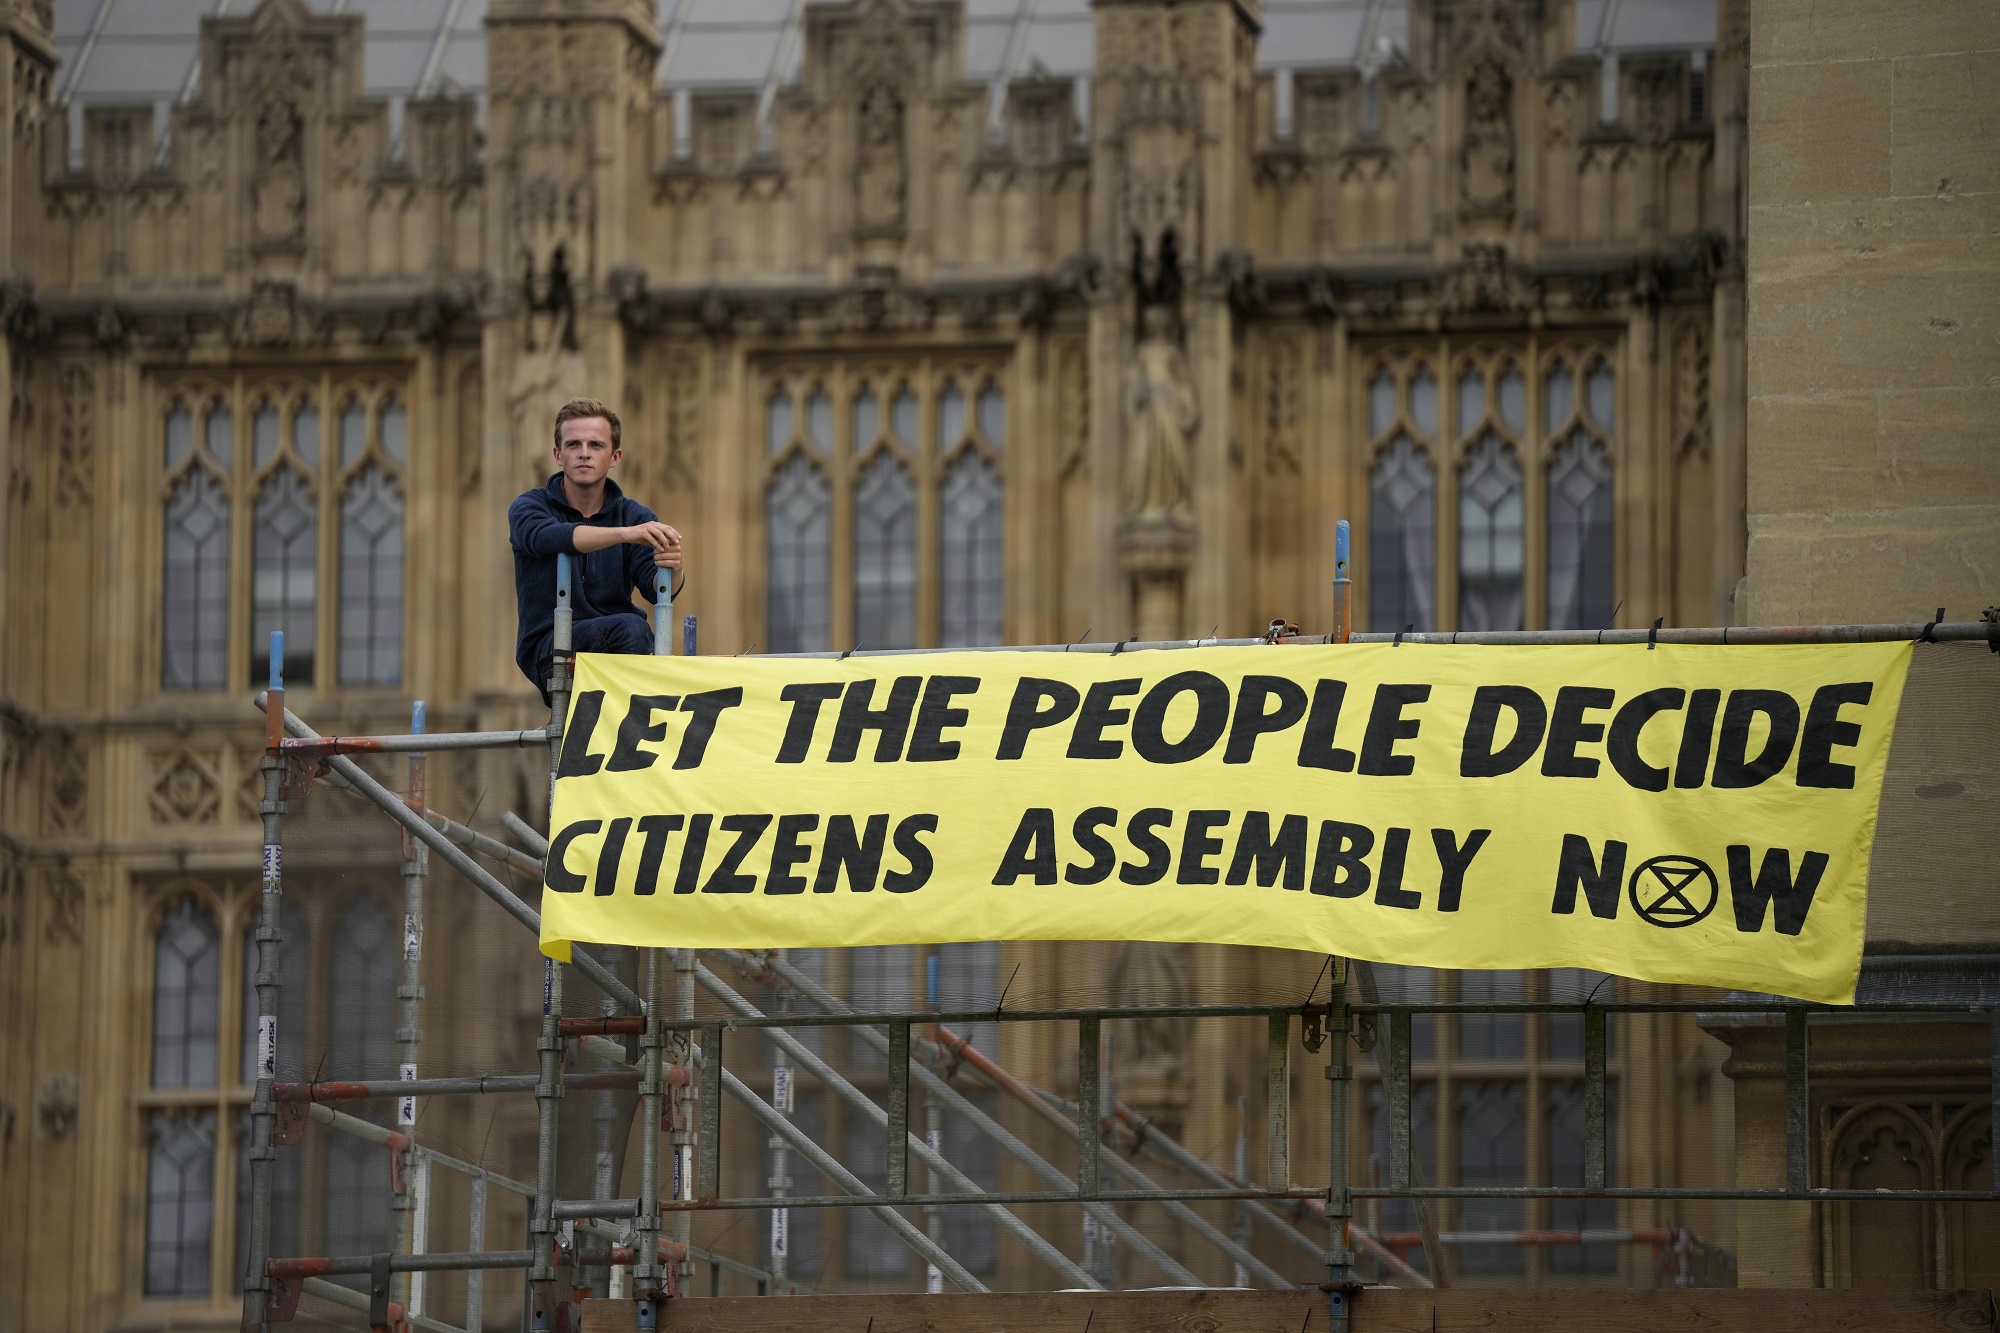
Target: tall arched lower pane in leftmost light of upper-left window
{"x":195,"y":611}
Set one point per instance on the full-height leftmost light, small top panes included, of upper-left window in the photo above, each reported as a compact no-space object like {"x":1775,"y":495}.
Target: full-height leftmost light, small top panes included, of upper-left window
{"x":195,"y":607}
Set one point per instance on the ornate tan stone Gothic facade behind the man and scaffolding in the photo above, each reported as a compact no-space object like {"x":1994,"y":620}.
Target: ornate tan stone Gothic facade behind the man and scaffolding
{"x":913,"y":357}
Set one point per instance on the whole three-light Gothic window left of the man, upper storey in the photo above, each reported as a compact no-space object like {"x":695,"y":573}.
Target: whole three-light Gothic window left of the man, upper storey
{"x":293,"y":491}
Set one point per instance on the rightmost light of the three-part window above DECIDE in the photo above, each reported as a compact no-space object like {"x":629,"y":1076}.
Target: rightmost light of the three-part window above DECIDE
{"x":1581,"y":551}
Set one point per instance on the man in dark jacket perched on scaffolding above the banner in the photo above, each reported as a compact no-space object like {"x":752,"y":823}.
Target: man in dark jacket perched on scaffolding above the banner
{"x":615,"y":543}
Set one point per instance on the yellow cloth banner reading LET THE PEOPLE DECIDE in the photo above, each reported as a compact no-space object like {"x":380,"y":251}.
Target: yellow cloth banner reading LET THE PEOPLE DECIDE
{"x":1675,"y":814}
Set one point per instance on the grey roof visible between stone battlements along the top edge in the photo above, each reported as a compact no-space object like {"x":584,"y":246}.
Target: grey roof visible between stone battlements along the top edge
{"x":147,"y":51}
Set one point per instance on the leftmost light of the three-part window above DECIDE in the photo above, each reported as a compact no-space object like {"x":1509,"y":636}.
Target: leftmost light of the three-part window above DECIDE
{"x":1403,"y":499}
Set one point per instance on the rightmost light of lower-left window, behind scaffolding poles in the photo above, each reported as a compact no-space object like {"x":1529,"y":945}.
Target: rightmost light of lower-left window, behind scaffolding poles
{"x":361,"y":1044}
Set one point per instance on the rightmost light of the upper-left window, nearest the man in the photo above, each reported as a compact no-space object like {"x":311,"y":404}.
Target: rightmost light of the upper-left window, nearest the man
{"x":371,"y":553}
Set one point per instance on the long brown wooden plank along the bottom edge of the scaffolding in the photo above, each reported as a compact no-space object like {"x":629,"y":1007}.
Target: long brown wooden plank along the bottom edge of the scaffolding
{"x":1305,"y":1312}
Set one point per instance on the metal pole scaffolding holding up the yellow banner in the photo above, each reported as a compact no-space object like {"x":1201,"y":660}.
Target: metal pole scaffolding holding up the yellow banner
{"x":659,"y":1050}
